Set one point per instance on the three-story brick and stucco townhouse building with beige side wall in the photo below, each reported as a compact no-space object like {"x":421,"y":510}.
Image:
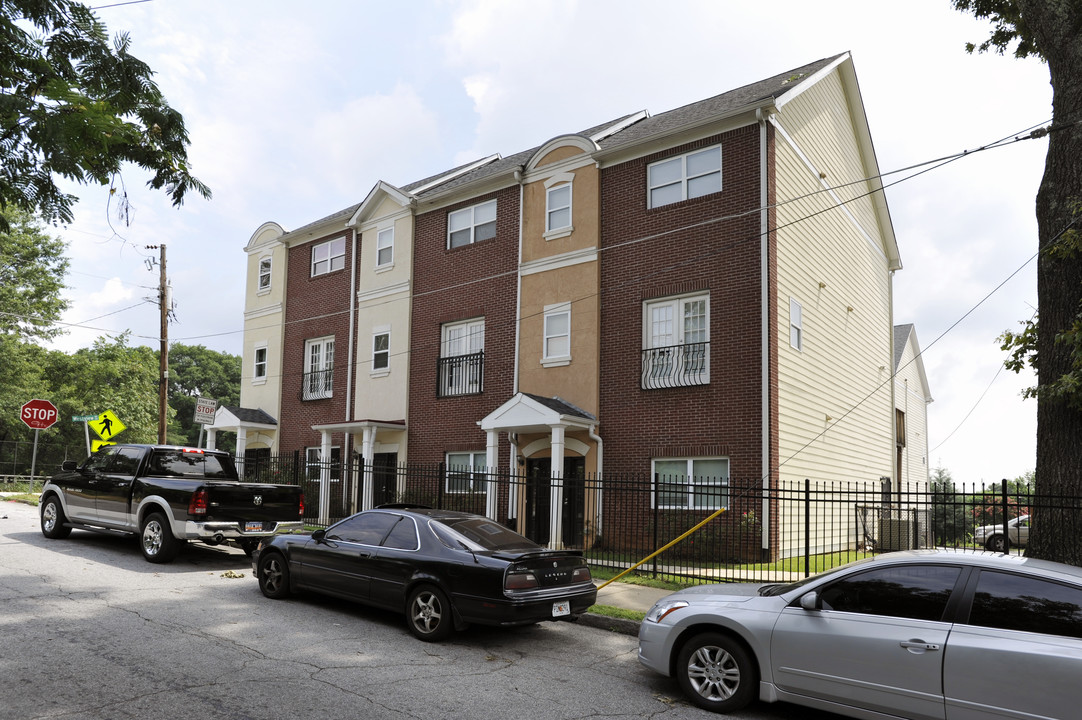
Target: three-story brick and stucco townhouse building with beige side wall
{"x":700,"y":295}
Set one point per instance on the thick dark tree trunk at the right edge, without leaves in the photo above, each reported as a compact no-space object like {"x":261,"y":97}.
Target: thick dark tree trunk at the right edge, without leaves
{"x":1057,"y":534}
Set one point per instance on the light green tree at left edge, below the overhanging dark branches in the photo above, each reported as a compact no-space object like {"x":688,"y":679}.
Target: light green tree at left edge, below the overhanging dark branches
{"x":32,"y":278}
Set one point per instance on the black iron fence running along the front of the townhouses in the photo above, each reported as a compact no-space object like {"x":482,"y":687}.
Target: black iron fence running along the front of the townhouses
{"x":711,"y":531}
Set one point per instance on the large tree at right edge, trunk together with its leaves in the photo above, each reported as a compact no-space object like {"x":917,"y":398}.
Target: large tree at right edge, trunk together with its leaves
{"x":1049,"y":30}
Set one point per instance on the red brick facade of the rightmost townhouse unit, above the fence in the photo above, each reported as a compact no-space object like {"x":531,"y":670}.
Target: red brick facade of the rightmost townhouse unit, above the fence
{"x":708,"y":244}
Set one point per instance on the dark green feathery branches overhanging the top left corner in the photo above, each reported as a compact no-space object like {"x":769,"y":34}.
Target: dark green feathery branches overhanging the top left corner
{"x":74,"y":106}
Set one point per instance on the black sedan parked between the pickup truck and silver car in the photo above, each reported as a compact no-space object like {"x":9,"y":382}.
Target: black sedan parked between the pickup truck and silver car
{"x":445,"y":570}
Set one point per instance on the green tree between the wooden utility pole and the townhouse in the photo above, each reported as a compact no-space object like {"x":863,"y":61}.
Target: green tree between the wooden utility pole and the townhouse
{"x":196,"y":372}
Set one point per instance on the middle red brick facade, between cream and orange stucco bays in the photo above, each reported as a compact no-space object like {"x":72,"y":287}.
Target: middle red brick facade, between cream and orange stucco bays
{"x":451,"y":285}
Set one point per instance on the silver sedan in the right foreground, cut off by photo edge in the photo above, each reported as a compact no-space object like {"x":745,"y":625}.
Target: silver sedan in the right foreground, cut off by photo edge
{"x":918,"y":635}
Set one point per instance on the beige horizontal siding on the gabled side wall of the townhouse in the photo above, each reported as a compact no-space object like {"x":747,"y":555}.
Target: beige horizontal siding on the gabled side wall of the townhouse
{"x":836,"y":409}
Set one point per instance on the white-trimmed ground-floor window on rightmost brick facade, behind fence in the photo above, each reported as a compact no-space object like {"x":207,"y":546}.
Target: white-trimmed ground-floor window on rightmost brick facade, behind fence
{"x":691,"y":483}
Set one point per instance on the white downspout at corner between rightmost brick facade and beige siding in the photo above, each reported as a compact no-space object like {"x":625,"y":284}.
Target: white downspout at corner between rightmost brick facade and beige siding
{"x":764,"y":268}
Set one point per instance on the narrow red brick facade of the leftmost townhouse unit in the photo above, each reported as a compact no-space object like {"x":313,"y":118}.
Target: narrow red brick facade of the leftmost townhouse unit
{"x":316,"y":307}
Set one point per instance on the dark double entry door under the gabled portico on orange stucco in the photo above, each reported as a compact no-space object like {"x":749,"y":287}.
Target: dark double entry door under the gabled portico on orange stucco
{"x":539,"y":500}
